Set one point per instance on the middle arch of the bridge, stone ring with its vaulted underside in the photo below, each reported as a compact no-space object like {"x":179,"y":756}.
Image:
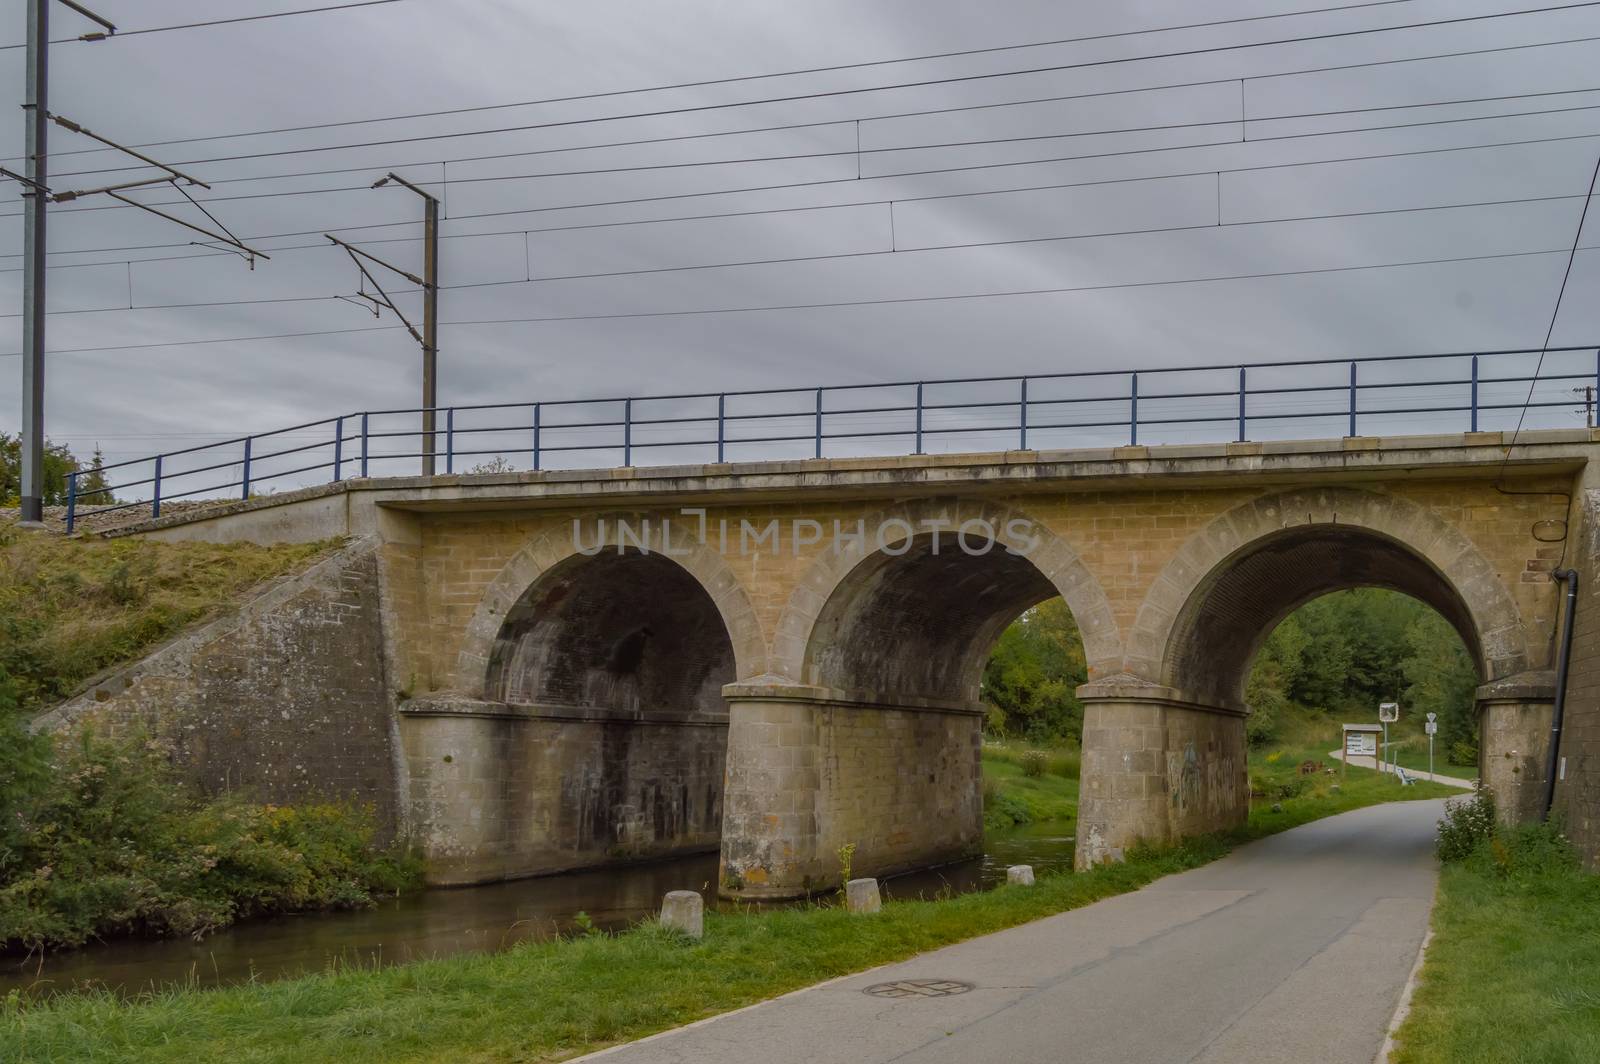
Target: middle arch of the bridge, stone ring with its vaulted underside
{"x":1031,"y":564}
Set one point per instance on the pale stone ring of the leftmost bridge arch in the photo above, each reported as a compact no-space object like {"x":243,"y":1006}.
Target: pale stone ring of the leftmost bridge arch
{"x":556,"y":551}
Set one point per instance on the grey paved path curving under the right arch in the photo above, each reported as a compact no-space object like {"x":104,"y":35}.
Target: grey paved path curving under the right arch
{"x":1294,"y":948}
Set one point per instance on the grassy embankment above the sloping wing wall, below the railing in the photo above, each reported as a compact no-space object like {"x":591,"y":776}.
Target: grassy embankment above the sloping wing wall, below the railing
{"x":71,"y":609}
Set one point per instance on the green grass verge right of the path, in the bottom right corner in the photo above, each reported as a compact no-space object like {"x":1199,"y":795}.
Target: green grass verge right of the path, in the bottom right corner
{"x":1511,"y":975}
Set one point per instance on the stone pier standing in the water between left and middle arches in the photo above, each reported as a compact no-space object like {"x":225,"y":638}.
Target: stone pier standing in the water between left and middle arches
{"x":814,"y":770}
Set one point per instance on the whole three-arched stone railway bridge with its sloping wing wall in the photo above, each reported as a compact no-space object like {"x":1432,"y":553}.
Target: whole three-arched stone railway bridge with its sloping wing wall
{"x":532,"y":673}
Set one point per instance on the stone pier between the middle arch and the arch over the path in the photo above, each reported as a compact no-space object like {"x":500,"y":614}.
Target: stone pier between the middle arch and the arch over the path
{"x":1156,"y":769}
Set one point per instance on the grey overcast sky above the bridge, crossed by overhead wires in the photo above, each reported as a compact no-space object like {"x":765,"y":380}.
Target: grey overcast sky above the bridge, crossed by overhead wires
{"x":1055,"y":207}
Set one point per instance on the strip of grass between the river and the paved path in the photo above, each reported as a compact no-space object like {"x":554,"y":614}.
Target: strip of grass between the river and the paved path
{"x":542,"y":1002}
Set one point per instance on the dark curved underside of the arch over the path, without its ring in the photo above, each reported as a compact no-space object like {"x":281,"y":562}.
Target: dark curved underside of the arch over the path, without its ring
{"x":1242,"y":601}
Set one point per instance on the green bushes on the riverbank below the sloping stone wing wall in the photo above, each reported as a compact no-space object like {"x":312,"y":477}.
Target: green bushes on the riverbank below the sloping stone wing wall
{"x":110,"y":842}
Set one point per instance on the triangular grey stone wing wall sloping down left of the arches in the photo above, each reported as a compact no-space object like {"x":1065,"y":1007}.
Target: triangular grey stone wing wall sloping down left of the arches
{"x":284,"y":700}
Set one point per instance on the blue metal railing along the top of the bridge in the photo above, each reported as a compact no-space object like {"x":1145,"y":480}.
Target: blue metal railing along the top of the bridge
{"x":1105,"y":407}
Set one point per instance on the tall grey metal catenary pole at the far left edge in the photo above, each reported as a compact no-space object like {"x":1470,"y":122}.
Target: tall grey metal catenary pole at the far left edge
{"x":36,"y":196}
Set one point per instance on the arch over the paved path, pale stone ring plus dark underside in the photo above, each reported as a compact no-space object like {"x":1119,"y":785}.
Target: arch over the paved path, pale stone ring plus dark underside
{"x":1234,"y":580}
